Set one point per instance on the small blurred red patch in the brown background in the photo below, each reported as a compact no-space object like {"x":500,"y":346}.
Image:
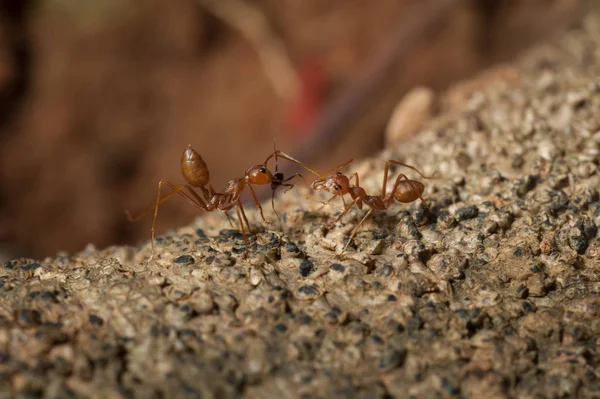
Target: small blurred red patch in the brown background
{"x":304,"y":109}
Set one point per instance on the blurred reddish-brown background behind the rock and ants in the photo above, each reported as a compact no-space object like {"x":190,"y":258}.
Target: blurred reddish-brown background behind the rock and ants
{"x":99,"y":98}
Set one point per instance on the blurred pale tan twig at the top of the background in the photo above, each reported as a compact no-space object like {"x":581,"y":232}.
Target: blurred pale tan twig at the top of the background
{"x":252,"y":24}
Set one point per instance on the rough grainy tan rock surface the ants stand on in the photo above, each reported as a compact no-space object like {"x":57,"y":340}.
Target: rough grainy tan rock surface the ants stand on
{"x":492,"y":292}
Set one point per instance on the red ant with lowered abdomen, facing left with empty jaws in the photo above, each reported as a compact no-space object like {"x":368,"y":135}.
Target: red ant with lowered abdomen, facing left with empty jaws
{"x":404,"y":191}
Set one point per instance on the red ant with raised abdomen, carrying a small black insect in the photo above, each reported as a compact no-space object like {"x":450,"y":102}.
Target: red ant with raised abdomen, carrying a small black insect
{"x":196,"y":174}
